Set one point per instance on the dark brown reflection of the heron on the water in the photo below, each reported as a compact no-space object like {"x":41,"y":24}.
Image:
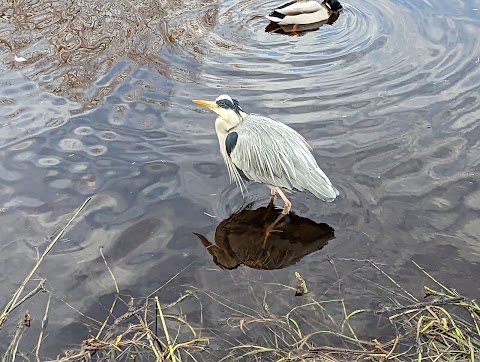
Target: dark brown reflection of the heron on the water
{"x":240,"y":239}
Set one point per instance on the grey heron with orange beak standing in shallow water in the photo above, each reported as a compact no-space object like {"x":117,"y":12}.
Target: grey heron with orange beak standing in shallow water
{"x":261,"y":149}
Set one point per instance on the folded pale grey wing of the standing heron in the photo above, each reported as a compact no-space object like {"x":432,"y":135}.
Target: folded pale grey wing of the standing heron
{"x":272,"y":153}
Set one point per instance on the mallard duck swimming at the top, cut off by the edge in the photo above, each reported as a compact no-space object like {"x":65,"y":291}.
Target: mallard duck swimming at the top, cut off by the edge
{"x":303,"y":12}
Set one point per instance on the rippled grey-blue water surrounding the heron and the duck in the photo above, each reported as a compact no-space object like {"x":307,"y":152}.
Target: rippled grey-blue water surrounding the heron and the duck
{"x":96,"y":101}
